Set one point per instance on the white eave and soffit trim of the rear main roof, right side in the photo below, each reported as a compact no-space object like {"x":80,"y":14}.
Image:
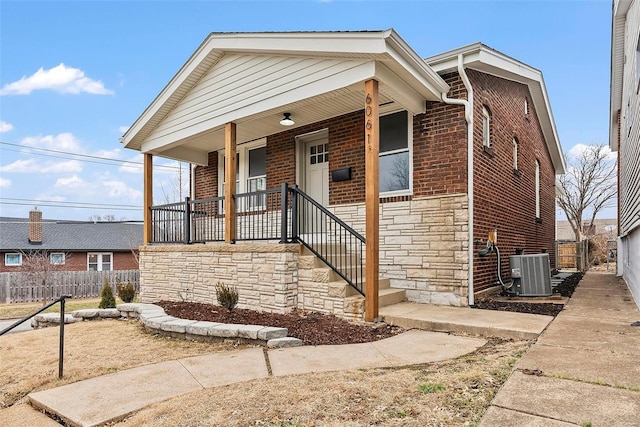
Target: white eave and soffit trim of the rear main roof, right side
{"x":482,"y":58}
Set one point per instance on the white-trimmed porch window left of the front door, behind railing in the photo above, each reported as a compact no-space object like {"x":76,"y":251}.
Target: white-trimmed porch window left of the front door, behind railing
{"x":251,"y":172}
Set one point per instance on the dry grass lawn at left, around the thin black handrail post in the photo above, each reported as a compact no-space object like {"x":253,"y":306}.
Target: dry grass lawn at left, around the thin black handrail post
{"x":29,"y":360}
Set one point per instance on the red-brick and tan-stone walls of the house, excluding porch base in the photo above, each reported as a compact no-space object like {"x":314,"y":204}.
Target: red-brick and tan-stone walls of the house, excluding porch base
{"x":410,"y":225}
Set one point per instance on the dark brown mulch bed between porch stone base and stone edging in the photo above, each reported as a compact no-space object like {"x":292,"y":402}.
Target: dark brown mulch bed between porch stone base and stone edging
{"x":311,"y":328}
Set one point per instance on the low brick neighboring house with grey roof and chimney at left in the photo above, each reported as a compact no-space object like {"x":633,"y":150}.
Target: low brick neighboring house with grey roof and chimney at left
{"x":73,"y":246}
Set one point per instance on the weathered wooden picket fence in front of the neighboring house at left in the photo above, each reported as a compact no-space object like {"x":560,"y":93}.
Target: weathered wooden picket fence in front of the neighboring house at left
{"x":23,"y":287}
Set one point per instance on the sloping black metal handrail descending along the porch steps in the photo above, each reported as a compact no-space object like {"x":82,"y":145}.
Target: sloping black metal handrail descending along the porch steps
{"x":329,"y":238}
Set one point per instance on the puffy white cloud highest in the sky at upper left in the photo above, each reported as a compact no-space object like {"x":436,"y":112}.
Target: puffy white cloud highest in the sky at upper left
{"x":61,"y":79}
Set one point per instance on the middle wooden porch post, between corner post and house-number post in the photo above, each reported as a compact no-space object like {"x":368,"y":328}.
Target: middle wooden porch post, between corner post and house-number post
{"x":230,"y":183}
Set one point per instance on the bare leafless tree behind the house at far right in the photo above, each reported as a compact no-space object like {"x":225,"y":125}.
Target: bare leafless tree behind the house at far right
{"x":588,"y":187}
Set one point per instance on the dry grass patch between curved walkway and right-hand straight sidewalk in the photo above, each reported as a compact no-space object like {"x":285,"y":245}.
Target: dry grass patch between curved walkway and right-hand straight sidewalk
{"x":450,"y":393}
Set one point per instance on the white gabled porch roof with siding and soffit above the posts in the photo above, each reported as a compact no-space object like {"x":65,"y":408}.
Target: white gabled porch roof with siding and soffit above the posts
{"x":252,"y":78}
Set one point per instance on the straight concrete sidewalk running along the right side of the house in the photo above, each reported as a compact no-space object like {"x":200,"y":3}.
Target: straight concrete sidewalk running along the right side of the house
{"x":585,"y":367}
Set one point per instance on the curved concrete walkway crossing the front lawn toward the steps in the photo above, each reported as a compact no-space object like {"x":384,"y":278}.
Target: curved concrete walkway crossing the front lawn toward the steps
{"x":111,"y":397}
